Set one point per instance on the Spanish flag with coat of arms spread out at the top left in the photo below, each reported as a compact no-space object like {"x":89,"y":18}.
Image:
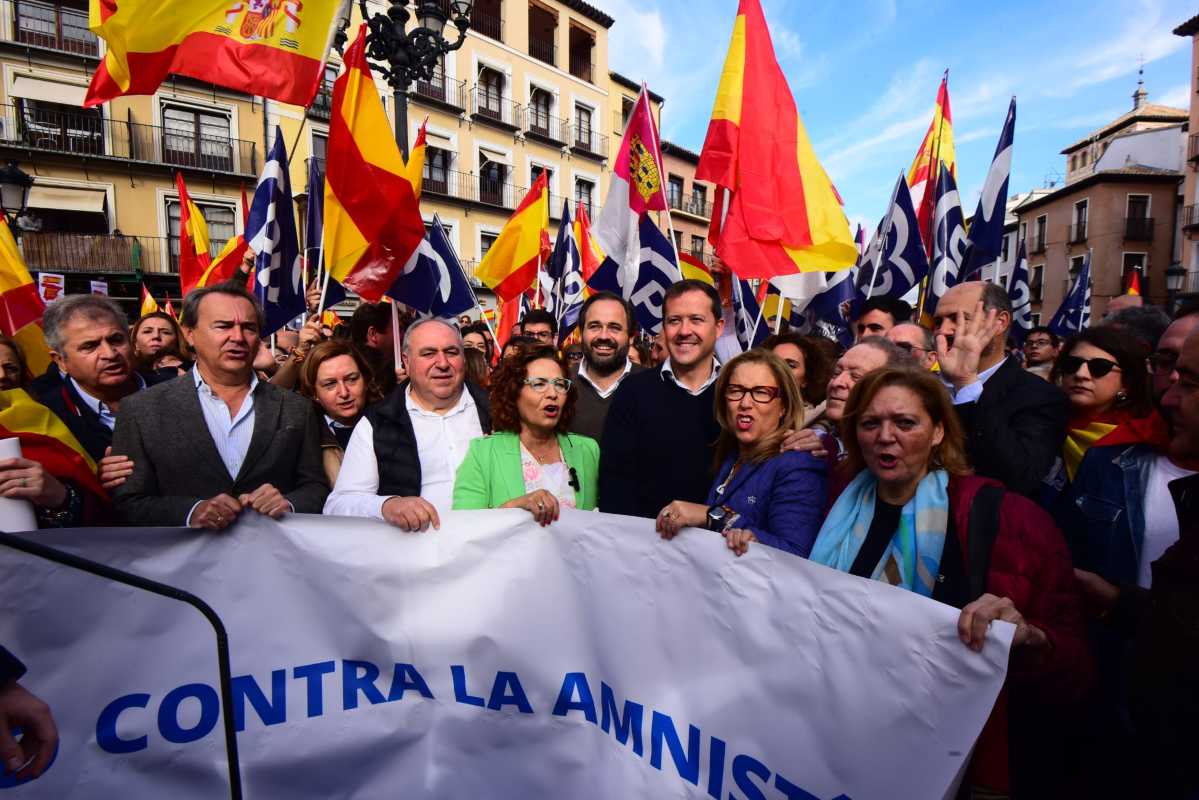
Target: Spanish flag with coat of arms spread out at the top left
{"x":272,"y":49}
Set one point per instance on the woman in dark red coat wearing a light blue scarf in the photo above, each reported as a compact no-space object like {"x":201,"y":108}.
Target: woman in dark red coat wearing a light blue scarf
{"x":908,"y":519}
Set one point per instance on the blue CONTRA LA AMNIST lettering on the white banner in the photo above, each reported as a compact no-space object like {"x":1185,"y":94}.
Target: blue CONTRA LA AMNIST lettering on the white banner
{"x":622,"y":719}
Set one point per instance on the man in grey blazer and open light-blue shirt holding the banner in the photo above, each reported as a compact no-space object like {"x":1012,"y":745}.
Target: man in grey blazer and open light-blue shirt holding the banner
{"x":216,"y":442}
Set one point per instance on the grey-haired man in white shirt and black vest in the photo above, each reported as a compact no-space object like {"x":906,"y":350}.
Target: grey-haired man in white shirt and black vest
{"x":406,"y":452}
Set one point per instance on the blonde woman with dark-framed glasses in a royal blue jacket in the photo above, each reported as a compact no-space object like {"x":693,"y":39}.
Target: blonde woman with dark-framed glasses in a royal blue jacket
{"x":760,"y":495}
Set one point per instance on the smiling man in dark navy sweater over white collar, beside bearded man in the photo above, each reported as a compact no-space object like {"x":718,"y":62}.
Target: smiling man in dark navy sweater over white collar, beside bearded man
{"x":658,"y":441}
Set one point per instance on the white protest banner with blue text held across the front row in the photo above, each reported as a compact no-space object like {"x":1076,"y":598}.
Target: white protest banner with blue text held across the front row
{"x":491,"y":659}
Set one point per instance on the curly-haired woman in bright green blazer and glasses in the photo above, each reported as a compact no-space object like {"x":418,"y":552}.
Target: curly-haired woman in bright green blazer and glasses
{"x":531,"y":461}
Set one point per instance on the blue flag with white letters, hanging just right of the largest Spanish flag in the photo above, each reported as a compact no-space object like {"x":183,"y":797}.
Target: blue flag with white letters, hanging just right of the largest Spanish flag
{"x":896,"y":261}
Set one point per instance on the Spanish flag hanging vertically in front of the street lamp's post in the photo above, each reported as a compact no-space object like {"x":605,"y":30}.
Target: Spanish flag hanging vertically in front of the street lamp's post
{"x":372,"y":218}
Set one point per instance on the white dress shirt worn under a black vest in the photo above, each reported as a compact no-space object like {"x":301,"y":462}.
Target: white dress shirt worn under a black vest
{"x":442,"y":443}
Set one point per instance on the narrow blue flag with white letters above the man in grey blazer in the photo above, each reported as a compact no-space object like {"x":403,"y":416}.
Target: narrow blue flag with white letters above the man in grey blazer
{"x":272,"y":233}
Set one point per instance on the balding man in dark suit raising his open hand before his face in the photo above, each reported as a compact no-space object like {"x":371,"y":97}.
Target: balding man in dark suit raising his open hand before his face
{"x":1015,"y":422}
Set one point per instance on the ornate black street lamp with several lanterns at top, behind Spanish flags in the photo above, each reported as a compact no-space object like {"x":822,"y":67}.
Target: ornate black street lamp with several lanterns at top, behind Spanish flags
{"x":415,"y":55}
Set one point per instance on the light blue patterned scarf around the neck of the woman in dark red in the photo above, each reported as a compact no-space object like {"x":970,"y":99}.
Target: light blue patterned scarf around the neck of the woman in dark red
{"x":913,"y":560}
